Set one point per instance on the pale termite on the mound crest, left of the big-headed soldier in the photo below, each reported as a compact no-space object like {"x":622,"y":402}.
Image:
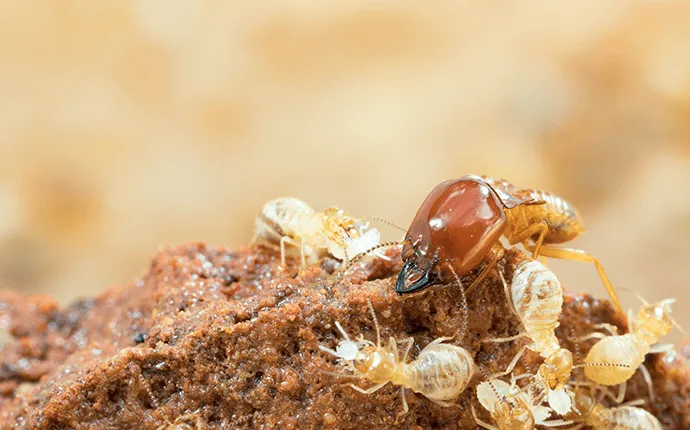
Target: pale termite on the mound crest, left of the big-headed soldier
{"x":290,"y":221}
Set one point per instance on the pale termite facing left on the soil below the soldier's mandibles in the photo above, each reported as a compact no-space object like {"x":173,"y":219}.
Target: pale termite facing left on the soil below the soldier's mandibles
{"x":440,"y":372}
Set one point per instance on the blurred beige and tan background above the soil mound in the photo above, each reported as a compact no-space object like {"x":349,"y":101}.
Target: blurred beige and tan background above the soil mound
{"x":125,"y":125}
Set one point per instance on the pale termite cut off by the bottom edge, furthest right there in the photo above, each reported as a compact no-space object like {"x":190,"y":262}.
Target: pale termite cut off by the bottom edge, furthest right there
{"x":591,"y":412}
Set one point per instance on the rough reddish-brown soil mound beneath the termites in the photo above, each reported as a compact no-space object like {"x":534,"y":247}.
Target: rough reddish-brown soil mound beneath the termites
{"x":211,"y":338}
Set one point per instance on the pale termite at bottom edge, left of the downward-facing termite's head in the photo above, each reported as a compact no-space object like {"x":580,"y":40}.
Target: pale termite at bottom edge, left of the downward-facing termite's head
{"x":510,"y":407}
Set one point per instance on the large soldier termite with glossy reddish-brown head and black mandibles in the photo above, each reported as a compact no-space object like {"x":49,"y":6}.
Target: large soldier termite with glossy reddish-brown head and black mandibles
{"x":462,"y":220}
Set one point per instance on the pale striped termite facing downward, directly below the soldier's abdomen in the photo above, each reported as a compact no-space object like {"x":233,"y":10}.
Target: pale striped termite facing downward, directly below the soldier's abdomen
{"x":536,"y":297}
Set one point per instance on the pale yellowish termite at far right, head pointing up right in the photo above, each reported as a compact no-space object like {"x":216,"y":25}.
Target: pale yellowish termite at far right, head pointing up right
{"x":652,"y":322}
